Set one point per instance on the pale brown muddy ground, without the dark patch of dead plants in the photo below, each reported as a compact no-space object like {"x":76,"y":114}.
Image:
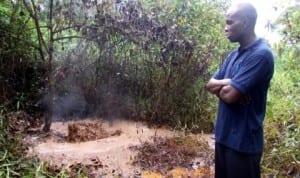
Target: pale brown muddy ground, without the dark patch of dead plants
{"x":104,"y":146}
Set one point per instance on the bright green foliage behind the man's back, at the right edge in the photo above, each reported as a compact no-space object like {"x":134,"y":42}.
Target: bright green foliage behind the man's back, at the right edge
{"x":282,"y":155}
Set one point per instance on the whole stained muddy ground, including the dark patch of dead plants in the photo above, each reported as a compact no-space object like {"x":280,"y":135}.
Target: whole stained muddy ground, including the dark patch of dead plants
{"x":122,"y":148}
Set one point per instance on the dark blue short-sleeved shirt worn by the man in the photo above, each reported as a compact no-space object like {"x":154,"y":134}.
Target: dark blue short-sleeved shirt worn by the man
{"x":240,"y":125}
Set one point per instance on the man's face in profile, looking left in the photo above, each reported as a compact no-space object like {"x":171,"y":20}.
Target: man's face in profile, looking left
{"x":234,"y":28}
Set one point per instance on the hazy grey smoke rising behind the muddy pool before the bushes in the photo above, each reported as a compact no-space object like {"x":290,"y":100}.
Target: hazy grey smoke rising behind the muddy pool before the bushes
{"x":83,"y":88}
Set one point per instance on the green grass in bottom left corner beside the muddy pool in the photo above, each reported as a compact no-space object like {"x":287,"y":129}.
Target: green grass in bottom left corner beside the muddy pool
{"x":12,"y":153}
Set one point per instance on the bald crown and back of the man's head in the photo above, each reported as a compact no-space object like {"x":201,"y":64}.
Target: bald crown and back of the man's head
{"x":246,"y":12}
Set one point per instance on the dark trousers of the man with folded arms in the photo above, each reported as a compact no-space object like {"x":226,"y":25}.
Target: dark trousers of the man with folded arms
{"x":232,"y":164}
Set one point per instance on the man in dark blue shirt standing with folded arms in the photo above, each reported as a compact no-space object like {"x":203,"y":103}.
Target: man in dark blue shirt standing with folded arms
{"x":241,"y":84}
